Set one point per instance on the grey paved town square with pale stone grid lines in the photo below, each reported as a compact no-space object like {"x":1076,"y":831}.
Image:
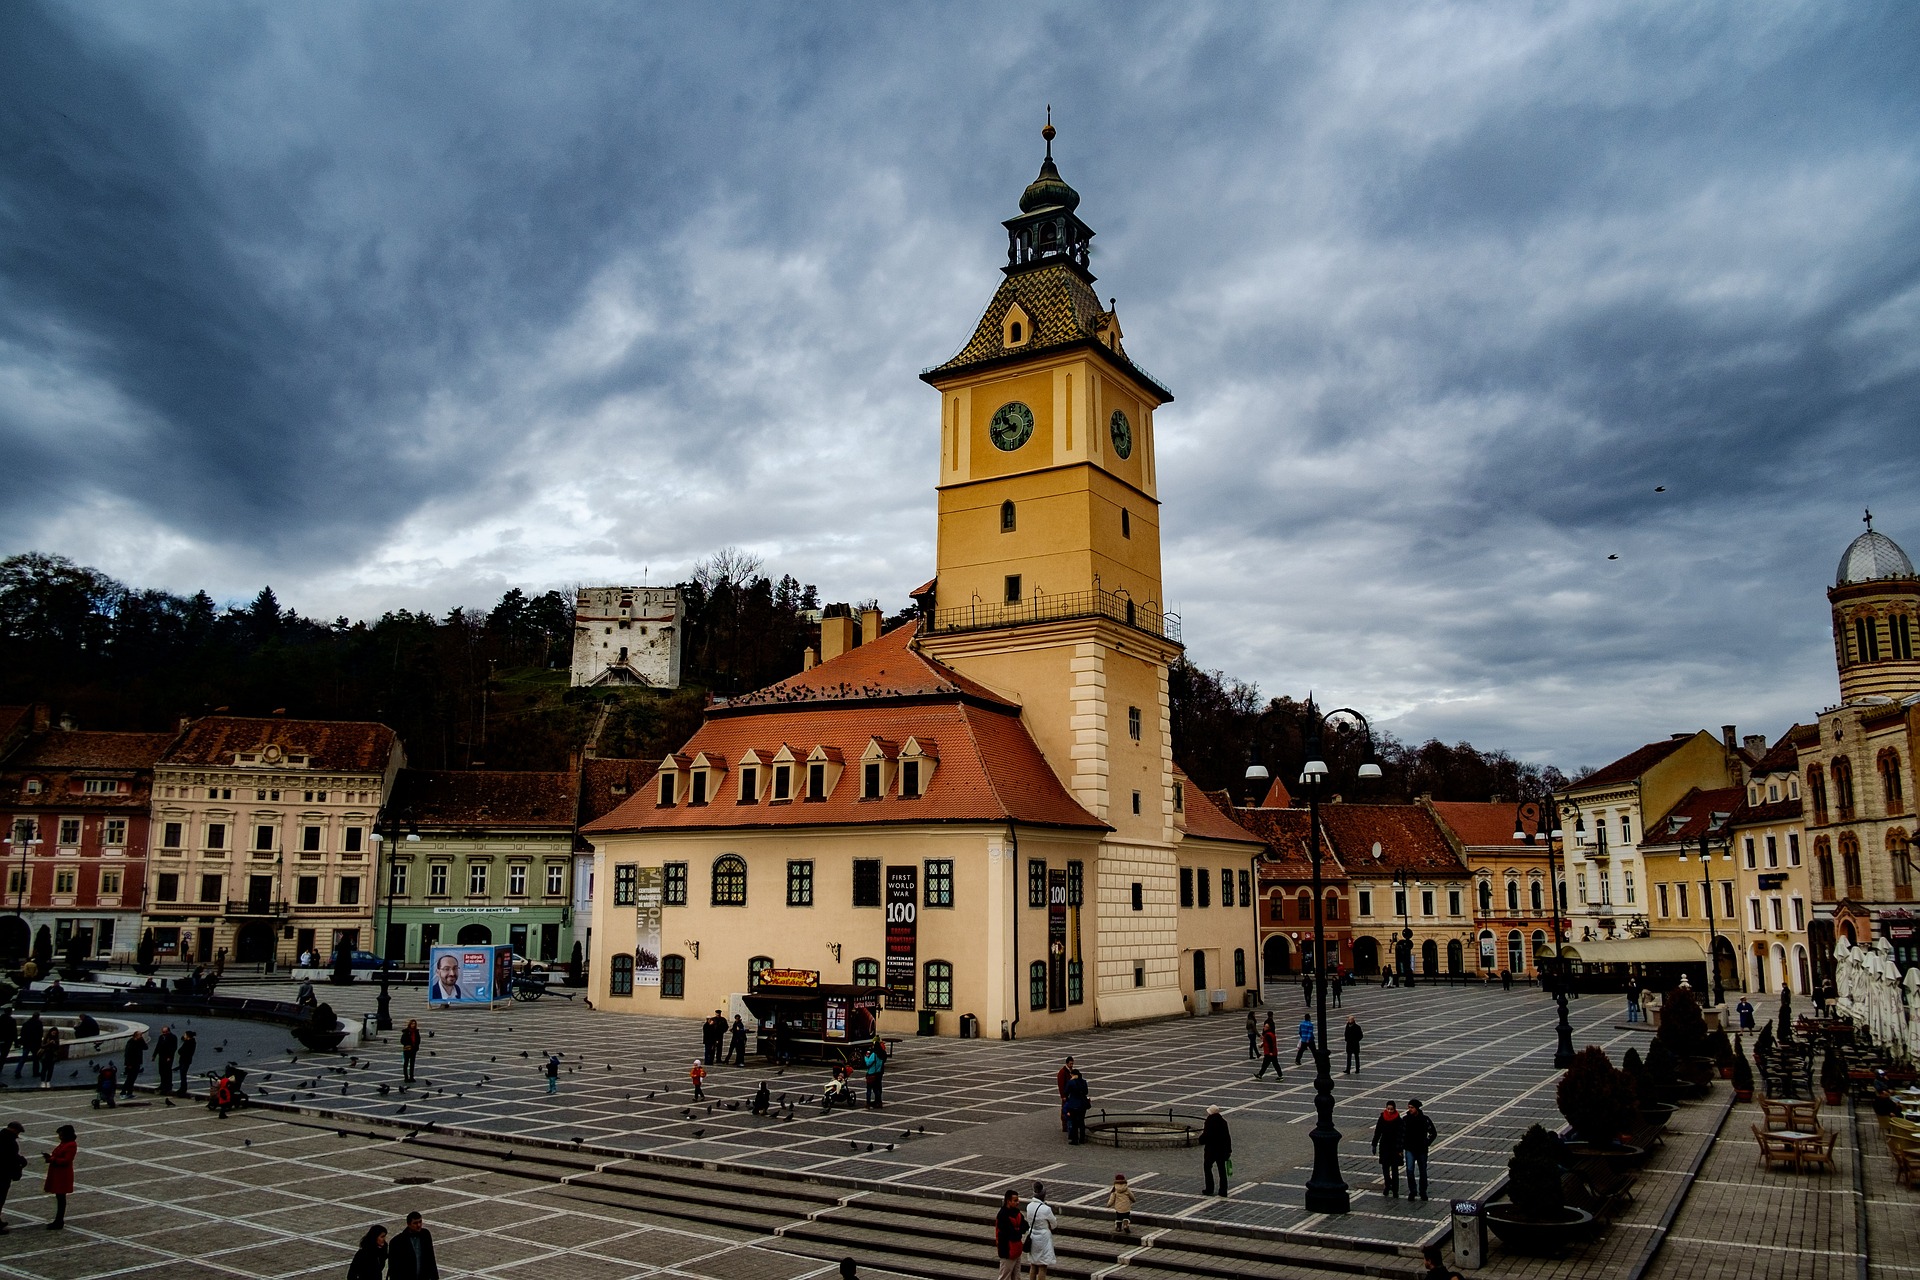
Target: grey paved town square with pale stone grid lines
{"x":287,"y":1189}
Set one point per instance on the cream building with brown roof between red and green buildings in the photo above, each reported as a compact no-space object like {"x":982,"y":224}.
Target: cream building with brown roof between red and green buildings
{"x":262,"y":838}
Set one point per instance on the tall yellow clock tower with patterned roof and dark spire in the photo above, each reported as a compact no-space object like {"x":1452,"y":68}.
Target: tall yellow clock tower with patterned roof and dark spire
{"x":1049,"y":565}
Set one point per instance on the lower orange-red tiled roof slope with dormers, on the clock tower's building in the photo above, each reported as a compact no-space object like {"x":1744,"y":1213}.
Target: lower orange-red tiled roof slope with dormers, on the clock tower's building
{"x":990,"y":770}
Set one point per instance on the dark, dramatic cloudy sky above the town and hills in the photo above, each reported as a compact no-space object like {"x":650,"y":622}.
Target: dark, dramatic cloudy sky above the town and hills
{"x":406,"y":304}
